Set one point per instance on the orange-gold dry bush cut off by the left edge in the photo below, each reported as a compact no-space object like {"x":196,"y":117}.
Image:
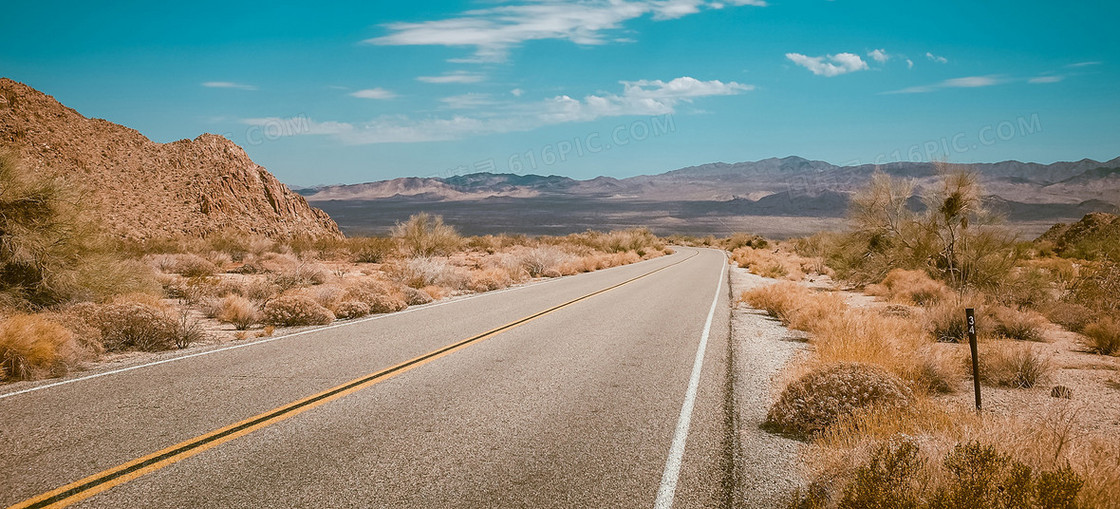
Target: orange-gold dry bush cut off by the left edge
{"x":33,"y":347}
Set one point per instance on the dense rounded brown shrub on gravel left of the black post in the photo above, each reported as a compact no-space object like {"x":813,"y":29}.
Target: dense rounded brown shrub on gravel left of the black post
{"x":815,"y":402}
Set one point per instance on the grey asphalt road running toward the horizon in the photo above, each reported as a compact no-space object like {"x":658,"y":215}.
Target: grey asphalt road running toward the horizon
{"x":575,"y":409}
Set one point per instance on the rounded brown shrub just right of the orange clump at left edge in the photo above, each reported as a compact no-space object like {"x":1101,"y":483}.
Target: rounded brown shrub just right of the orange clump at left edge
{"x":136,"y":323}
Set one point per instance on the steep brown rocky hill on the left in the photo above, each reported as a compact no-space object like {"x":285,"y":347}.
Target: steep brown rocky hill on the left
{"x":145,"y":190}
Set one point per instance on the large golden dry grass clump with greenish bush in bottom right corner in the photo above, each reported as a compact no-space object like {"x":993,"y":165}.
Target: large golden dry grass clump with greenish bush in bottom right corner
{"x":959,"y":460}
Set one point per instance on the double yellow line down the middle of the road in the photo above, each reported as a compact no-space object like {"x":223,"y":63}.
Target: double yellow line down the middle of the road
{"x":126,"y":473}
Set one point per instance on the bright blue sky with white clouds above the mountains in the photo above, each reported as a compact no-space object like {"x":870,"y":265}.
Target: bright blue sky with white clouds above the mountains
{"x":347,"y":92}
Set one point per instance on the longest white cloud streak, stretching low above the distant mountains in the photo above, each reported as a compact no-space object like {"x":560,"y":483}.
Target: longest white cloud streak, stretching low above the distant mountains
{"x":638,"y":98}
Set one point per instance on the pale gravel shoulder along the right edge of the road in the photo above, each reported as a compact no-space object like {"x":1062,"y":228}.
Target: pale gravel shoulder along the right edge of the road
{"x":762,"y":347}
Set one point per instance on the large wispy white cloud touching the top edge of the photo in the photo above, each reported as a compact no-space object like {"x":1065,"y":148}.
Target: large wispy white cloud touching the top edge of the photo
{"x":493,"y":32}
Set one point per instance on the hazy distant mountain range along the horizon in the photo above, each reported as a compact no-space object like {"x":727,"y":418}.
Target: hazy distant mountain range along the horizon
{"x":710,"y":199}
